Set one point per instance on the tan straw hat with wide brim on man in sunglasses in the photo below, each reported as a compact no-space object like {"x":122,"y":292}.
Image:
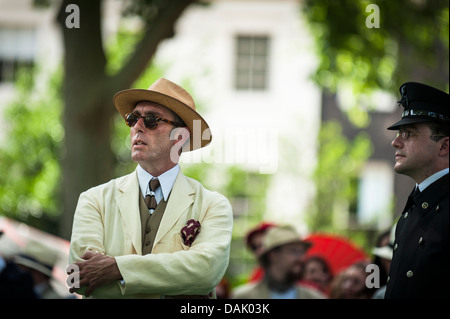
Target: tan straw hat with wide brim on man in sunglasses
{"x":173,"y":97}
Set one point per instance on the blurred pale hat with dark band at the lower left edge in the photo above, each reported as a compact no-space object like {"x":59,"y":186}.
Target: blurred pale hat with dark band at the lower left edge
{"x":38,"y":256}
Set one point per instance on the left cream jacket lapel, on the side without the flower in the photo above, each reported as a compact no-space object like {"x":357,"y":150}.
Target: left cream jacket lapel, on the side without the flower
{"x":127,"y":199}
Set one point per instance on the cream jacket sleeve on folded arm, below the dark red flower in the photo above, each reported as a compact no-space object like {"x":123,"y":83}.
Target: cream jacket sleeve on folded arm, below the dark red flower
{"x":194,"y":271}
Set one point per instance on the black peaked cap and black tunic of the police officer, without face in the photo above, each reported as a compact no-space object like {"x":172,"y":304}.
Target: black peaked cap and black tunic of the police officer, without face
{"x":420,"y":264}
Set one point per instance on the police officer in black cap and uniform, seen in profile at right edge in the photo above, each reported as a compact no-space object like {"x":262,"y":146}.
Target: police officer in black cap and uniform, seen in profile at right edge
{"x":420,"y":262}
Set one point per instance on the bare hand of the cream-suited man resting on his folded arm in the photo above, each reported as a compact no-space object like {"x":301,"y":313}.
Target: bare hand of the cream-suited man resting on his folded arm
{"x":97,"y":270}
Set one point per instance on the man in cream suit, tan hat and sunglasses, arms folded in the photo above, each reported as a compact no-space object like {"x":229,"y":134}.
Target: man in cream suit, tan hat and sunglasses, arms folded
{"x":122,"y":246}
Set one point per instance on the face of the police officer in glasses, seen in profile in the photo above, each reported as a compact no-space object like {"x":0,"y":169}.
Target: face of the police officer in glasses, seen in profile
{"x":416,"y":155}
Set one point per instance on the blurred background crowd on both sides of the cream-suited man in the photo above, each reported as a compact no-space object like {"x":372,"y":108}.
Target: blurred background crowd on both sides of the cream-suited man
{"x":285,"y":269}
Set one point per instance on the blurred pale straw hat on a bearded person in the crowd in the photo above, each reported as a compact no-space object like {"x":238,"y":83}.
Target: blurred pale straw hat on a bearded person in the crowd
{"x":277,"y":236}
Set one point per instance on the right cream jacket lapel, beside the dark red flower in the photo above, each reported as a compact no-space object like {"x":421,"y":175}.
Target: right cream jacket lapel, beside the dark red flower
{"x":180,"y":199}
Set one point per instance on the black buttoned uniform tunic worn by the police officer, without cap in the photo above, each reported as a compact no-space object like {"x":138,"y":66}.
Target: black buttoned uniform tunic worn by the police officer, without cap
{"x":420,"y":264}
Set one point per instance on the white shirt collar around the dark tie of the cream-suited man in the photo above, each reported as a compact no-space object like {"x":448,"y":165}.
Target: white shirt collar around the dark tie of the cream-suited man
{"x":166,"y":180}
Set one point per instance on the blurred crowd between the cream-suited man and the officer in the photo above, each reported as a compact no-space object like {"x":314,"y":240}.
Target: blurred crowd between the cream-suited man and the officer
{"x":286,"y":270}
